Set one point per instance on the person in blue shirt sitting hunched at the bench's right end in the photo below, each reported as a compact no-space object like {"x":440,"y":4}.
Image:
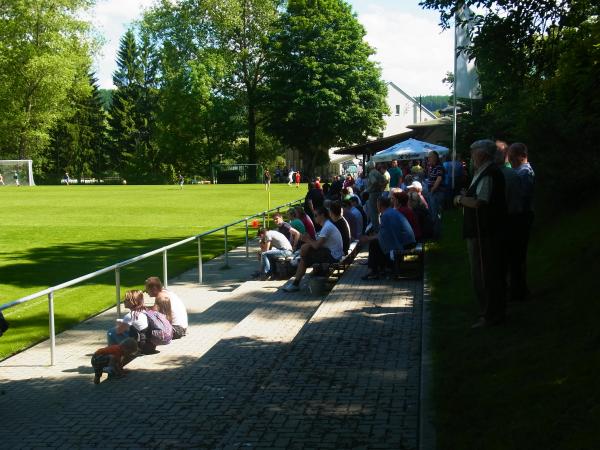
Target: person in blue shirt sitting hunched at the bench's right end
{"x":395,"y":233}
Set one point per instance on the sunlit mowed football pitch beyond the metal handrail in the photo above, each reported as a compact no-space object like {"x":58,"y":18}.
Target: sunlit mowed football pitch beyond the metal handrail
{"x":51,"y":234}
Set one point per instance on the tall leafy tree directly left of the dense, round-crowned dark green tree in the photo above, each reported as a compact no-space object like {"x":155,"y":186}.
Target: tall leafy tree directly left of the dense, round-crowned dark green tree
{"x":199,"y":111}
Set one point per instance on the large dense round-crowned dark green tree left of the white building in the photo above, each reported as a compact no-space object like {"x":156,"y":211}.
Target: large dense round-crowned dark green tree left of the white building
{"x":323,"y":89}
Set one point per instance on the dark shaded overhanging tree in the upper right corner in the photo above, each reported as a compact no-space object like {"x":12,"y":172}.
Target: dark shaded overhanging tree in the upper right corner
{"x":538,"y":65}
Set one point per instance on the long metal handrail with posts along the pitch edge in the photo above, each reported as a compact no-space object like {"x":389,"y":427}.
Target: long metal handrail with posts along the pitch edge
{"x":117,"y":267}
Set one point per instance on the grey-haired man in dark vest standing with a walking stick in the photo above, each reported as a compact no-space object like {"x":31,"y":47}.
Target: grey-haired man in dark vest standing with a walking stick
{"x":483,"y":226}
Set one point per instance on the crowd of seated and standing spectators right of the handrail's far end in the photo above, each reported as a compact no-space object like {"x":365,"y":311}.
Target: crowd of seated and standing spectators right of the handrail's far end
{"x":392,"y":207}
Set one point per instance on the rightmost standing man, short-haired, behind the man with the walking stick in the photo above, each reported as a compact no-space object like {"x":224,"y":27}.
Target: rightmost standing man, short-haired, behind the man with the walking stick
{"x":518,"y":157}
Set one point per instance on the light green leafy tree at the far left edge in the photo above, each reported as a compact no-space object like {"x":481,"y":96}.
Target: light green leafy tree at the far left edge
{"x":44,"y":48}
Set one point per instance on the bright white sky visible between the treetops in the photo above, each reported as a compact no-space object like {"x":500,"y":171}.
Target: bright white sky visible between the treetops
{"x":412,"y":50}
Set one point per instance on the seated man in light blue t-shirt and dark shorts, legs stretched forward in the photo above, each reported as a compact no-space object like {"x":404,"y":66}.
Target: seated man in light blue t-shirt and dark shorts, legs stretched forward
{"x":328,"y":248}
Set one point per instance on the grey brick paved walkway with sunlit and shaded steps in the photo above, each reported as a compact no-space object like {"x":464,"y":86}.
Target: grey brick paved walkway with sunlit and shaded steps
{"x":260,"y":368}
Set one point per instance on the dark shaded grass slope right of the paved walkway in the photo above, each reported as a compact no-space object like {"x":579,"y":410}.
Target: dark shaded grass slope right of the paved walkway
{"x":532,"y":383}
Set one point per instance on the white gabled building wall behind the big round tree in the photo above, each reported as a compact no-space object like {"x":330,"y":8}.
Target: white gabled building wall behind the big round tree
{"x":404,"y":110}
